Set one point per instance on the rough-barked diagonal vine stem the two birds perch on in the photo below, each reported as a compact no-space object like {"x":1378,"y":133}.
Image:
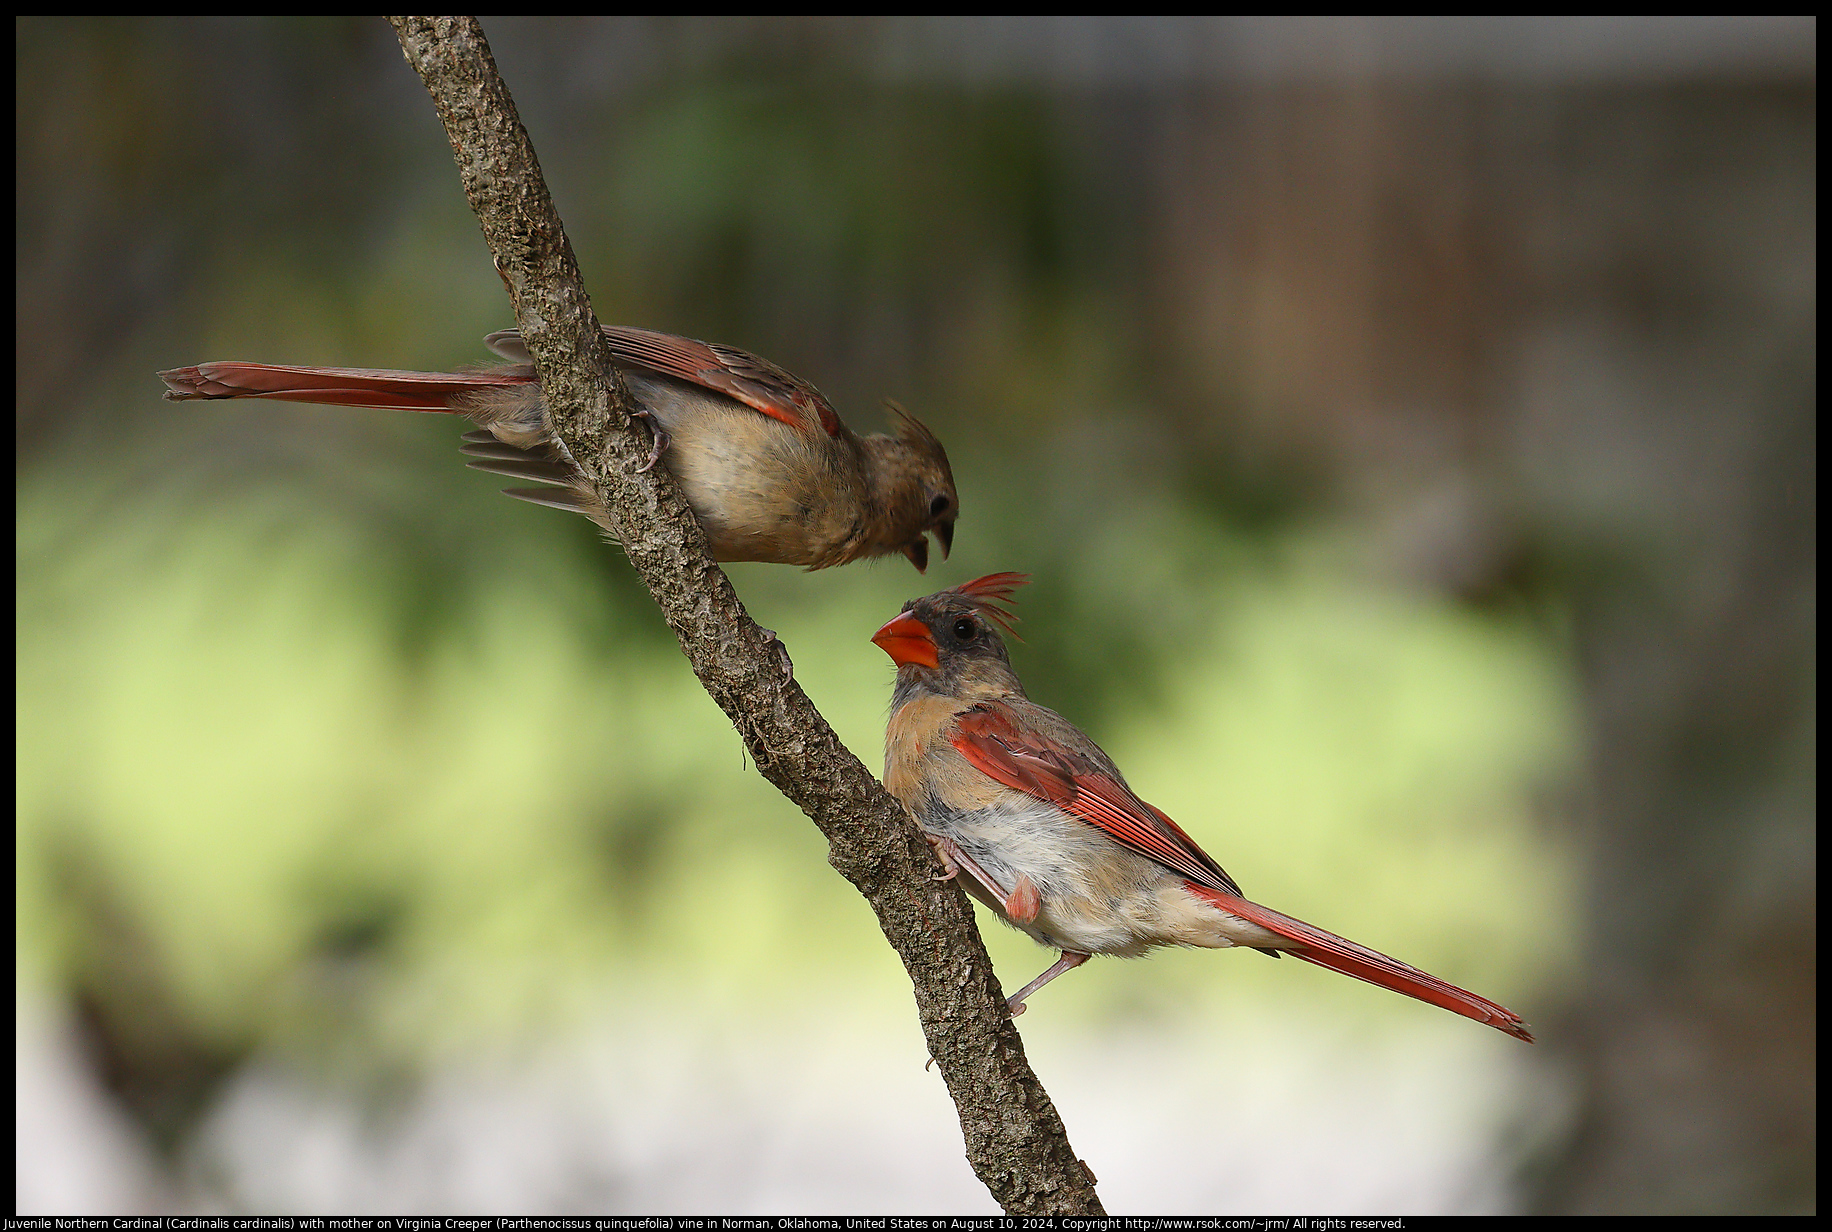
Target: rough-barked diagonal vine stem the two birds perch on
{"x":1014,"y":1138}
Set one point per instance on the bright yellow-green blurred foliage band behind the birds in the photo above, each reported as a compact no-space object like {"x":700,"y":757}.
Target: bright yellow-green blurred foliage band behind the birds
{"x":325,"y":839}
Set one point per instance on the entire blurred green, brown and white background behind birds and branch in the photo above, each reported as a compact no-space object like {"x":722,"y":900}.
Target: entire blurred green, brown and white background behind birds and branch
{"x":1410,"y":430}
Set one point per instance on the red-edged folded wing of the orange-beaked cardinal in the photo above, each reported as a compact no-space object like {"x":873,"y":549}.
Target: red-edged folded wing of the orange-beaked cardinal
{"x":1074,"y":782}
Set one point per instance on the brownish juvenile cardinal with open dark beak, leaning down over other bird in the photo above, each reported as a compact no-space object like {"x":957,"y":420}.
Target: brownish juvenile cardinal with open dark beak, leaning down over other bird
{"x":761,"y":456}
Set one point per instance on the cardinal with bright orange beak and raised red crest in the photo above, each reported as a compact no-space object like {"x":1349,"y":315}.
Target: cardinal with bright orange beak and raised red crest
{"x":1047,"y":830}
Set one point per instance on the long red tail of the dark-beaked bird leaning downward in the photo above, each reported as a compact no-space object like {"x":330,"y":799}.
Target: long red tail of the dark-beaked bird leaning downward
{"x":340,"y":388}
